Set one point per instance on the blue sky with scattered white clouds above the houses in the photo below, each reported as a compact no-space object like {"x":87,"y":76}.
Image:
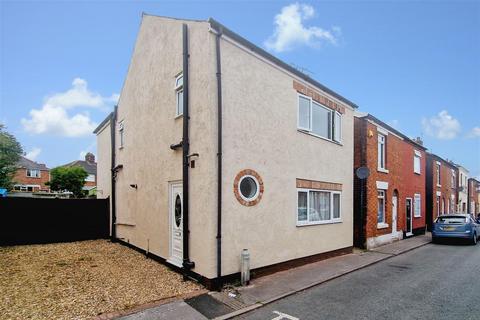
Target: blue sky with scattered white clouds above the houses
{"x":413,"y":64}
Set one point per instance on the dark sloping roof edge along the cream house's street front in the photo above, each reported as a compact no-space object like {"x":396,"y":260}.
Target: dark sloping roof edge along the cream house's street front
{"x":220,"y":28}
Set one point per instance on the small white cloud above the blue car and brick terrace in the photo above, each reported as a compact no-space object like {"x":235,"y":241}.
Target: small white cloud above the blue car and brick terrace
{"x":442,"y":126}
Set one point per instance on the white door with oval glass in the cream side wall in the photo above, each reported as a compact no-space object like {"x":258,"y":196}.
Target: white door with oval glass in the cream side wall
{"x":176,"y":224}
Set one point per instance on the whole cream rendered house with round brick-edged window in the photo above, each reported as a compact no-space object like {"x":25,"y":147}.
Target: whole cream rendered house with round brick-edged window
{"x":217,"y":146}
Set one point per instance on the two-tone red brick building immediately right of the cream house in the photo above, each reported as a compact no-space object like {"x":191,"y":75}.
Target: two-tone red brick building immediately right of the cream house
{"x":390,"y":203}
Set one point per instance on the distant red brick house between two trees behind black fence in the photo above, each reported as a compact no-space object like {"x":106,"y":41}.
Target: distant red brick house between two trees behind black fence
{"x":31,"y":176}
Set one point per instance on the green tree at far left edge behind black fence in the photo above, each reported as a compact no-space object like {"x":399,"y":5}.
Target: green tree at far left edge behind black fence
{"x":10,"y":152}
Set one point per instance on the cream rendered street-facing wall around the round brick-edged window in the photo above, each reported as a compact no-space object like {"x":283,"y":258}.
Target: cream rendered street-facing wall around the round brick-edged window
{"x":260,"y":133}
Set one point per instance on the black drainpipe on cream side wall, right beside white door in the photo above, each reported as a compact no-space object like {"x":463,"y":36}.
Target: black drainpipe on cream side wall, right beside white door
{"x":187,"y":264}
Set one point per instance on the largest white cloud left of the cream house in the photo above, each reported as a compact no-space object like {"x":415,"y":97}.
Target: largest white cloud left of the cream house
{"x":53,"y":118}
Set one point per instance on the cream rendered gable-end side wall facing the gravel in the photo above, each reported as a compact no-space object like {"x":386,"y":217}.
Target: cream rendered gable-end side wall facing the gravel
{"x":147,"y":107}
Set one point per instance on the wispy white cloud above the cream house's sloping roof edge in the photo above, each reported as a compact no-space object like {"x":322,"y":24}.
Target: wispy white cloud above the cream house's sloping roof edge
{"x":290,"y":31}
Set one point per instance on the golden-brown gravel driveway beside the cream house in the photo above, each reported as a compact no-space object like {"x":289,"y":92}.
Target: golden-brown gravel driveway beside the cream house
{"x":80,"y":280}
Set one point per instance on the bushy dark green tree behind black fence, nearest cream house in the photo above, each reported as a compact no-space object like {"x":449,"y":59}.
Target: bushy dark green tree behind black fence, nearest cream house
{"x":69,"y":179}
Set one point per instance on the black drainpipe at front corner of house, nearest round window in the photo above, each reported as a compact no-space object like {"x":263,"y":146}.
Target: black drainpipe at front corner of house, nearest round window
{"x":219,"y":168}
